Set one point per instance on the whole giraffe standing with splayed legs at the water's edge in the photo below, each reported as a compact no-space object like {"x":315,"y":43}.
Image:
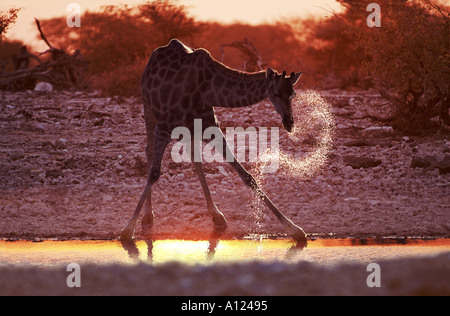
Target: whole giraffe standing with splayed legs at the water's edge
{"x":179,"y":85}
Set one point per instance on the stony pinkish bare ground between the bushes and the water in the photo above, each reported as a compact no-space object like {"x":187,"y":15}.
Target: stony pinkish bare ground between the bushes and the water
{"x":72,"y":166}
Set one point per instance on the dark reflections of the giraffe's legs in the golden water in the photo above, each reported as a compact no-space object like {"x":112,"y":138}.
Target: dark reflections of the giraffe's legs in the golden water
{"x":133,"y":252}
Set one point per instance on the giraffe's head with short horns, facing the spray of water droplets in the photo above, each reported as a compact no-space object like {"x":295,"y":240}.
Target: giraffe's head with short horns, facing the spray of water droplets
{"x":281,"y":92}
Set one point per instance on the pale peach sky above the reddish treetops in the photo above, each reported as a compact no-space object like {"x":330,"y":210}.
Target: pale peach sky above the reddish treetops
{"x":249,"y":11}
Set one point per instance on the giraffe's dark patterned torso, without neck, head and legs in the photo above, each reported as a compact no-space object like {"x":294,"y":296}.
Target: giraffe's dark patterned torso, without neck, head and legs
{"x":173,"y":83}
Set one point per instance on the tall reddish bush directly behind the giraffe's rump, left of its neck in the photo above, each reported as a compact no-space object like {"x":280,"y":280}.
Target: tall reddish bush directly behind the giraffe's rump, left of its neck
{"x":119,"y":40}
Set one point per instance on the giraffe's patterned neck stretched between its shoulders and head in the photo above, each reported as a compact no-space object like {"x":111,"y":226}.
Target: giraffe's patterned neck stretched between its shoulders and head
{"x":231,"y":88}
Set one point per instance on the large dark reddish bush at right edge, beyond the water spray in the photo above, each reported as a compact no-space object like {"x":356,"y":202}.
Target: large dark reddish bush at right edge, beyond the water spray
{"x":407,"y":58}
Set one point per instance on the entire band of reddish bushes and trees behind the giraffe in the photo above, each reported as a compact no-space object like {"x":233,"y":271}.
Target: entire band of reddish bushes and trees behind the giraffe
{"x":406,"y":59}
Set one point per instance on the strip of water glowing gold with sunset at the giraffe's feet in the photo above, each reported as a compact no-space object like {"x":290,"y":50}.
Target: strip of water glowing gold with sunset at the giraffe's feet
{"x":321,"y":251}
